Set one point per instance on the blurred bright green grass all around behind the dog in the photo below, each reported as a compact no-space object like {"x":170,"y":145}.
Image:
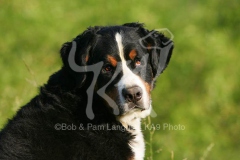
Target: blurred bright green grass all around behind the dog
{"x":199,"y":90}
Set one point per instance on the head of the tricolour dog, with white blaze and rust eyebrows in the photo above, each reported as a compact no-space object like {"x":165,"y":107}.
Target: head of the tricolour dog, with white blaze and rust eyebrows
{"x":126,"y":61}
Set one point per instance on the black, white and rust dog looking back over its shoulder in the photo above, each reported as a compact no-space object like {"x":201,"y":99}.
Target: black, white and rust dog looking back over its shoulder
{"x":91,"y":108}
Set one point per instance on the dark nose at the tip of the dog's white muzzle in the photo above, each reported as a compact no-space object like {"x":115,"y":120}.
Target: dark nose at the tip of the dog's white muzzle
{"x":132,"y":94}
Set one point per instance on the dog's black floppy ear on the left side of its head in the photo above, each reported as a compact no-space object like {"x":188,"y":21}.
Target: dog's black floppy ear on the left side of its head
{"x":84,"y":43}
